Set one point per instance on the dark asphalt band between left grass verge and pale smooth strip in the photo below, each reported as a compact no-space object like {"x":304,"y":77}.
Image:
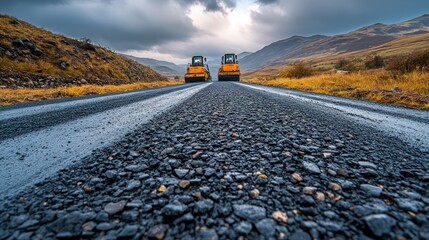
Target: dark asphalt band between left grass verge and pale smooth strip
{"x":15,"y":121}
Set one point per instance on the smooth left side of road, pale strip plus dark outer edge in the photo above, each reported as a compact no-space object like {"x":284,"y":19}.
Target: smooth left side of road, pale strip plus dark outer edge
{"x":37,"y":141}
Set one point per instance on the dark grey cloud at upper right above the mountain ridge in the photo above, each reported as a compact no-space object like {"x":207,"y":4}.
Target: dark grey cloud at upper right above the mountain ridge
{"x":309,"y":17}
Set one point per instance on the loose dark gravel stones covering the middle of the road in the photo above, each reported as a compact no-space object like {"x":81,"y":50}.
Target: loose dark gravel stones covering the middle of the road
{"x":232,"y":162}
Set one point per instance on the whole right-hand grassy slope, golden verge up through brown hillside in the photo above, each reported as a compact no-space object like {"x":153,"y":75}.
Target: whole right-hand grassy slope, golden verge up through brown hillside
{"x":404,"y":79}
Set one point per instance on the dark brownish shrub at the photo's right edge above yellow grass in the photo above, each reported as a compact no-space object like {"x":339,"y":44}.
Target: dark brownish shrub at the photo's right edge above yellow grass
{"x":408,"y":63}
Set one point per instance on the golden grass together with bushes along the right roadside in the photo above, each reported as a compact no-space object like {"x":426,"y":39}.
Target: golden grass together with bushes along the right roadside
{"x":402,"y":80}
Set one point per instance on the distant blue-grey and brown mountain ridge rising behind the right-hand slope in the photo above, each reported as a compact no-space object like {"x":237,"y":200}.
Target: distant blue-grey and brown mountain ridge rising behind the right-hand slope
{"x":297,"y":47}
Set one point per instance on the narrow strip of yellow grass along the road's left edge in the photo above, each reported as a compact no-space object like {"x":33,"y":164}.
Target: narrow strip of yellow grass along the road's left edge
{"x":13,"y":96}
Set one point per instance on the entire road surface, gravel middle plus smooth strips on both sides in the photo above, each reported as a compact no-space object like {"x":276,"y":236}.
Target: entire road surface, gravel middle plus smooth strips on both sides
{"x":236,"y":160}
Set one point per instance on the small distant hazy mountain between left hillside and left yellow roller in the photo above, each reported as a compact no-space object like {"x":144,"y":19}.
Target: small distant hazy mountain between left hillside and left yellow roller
{"x":163,"y":67}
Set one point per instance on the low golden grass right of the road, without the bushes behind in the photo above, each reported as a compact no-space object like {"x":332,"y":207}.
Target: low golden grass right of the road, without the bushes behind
{"x":369,"y":85}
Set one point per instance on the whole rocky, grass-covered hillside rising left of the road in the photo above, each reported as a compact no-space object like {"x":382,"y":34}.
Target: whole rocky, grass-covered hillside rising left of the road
{"x":36,"y":58}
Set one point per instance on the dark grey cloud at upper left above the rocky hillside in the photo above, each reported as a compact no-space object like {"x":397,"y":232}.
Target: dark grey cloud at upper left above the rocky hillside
{"x":119,"y":24}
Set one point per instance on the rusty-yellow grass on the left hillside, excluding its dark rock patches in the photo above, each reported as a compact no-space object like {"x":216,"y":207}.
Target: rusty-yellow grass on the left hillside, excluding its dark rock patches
{"x":99,"y":63}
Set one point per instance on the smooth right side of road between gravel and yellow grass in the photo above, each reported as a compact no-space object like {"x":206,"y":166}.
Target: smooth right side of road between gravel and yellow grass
{"x":410,"y":125}
